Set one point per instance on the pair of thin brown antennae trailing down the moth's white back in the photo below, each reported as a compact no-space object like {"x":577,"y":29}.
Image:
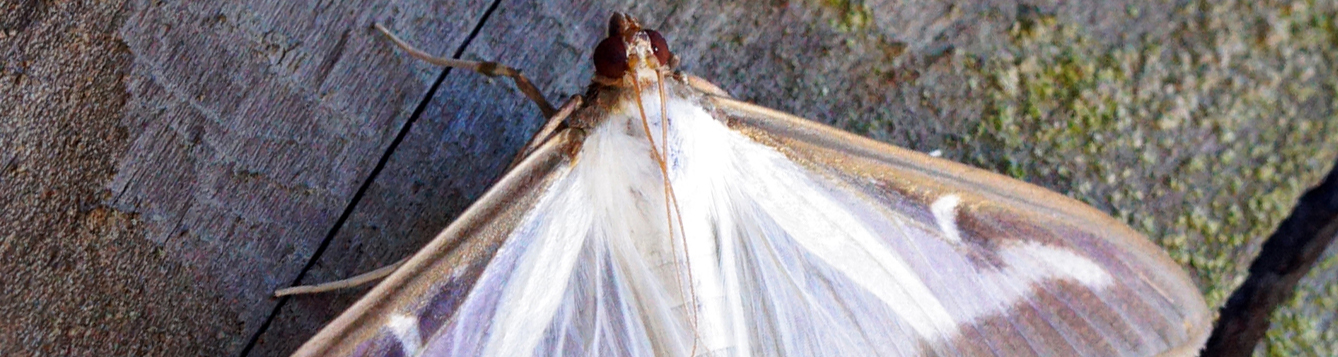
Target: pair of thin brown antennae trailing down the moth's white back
{"x":671,"y":200}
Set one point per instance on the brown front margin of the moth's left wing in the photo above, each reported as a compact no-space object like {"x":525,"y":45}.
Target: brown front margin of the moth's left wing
{"x":437,"y":279}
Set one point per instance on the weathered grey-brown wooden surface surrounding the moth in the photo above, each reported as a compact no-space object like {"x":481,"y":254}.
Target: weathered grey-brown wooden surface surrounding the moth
{"x":171,"y":164}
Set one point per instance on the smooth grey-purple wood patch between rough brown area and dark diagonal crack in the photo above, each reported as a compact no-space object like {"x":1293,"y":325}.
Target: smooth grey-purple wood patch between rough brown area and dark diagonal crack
{"x":255,"y":125}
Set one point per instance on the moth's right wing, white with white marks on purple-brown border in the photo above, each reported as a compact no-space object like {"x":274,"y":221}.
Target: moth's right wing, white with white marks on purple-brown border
{"x":860,"y":261}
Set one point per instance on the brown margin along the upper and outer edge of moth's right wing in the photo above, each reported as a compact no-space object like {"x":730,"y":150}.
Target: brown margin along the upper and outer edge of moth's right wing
{"x":917,"y":177}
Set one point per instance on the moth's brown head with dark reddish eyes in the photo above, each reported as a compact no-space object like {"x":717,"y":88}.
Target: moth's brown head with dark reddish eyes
{"x":631,"y":54}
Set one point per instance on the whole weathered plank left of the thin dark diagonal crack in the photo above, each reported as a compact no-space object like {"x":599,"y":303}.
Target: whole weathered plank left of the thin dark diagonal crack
{"x":242,"y":133}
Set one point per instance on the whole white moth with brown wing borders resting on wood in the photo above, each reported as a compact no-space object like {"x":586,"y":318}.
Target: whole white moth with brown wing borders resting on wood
{"x":656,"y":216}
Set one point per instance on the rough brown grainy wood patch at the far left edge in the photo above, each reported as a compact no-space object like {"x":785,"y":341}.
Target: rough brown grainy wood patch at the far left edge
{"x":77,"y":279}
